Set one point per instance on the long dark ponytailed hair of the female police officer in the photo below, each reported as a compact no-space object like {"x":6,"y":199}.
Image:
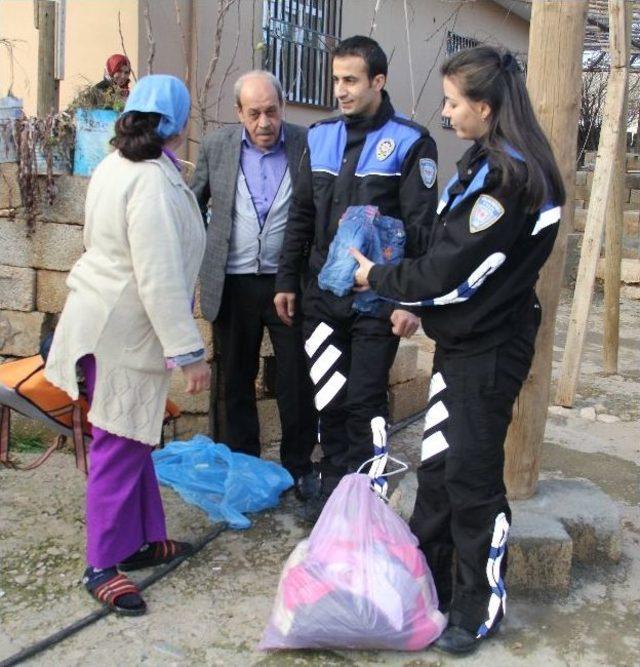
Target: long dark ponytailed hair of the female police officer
{"x":483,"y":74}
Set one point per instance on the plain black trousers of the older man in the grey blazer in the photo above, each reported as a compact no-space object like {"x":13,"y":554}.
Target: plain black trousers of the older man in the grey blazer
{"x":246,"y":308}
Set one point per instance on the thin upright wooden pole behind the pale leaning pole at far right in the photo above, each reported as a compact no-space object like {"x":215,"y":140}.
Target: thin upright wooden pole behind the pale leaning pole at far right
{"x":613,"y":238}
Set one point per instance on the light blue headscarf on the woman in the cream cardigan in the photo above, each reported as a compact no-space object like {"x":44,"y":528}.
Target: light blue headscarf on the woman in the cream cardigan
{"x":163,"y":94}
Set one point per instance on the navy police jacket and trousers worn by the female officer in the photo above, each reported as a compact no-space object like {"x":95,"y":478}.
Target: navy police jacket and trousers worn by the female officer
{"x":476,"y":284}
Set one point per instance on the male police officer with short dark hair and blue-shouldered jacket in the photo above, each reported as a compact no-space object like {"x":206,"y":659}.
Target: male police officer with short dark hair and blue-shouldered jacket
{"x":368,"y":155}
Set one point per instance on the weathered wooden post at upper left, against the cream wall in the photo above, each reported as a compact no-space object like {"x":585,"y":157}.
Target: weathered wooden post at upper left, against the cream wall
{"x":48,"y":87}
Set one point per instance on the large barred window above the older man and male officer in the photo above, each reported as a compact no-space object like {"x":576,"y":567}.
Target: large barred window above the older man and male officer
{"x":300,"y":35}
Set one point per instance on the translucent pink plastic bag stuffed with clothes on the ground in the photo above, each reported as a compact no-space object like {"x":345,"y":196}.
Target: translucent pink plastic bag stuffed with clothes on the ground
{"x":359,"y":581}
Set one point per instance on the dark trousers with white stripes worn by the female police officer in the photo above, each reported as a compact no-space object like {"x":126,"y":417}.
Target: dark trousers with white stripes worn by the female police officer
{"x":461,"y":502}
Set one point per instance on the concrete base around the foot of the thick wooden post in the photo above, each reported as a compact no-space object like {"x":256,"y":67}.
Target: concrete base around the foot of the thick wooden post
{"x":567,"y":522}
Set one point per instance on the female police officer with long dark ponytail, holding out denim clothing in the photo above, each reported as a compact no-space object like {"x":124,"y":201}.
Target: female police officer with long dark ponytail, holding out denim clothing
{"x":497,"y":222}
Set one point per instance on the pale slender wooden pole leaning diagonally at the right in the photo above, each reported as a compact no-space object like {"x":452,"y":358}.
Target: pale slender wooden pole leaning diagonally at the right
{"x":601,"y":193}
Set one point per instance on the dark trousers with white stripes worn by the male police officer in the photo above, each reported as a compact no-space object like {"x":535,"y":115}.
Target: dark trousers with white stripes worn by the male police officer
{"x":349,"y":357}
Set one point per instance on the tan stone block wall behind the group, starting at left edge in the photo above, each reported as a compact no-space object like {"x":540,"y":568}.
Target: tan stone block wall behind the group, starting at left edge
{"x":33,"y":269}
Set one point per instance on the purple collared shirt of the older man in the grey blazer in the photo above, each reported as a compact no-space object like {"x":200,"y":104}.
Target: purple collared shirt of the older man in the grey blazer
{"x":263,"y":172}
